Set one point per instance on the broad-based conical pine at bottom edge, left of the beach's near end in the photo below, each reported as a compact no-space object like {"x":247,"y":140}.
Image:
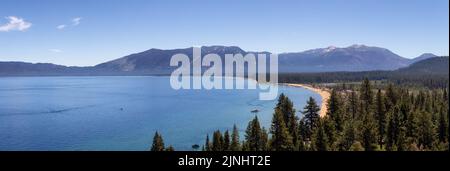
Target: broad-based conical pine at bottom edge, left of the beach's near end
{"x":281,"y":139}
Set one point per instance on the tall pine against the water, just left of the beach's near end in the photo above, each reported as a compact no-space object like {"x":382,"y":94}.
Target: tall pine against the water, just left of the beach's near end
{"x":311,"y":116}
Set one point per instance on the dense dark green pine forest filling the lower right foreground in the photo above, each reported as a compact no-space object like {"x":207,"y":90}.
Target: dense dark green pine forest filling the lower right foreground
{"x":361,"y":119}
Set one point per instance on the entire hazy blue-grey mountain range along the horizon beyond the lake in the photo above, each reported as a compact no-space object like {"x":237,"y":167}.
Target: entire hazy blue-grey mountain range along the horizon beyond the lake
{"x":156,"y":61}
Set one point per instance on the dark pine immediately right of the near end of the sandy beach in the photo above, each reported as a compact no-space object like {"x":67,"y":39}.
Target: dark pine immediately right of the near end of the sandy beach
{"x":335,"y":110}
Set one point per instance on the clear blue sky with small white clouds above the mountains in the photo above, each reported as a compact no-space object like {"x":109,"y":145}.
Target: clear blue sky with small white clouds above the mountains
{"x":110,"y":29}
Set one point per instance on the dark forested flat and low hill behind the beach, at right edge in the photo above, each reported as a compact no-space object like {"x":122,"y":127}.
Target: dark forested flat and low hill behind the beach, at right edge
{"x":432,"y":72}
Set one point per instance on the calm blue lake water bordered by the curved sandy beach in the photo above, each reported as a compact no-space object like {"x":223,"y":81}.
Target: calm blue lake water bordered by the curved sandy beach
{"x":122,"y":113}
